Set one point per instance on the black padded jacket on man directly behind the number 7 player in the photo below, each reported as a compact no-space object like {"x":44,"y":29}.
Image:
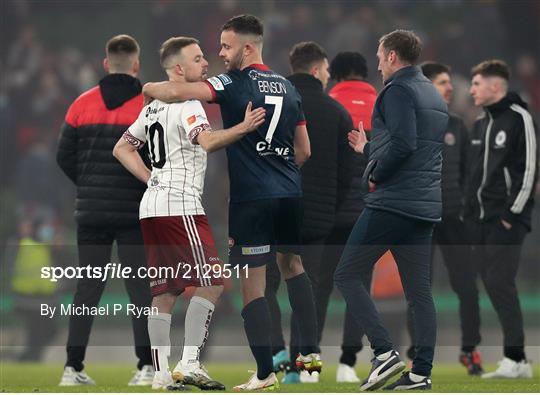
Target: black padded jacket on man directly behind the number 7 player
{"x":328,"y":174}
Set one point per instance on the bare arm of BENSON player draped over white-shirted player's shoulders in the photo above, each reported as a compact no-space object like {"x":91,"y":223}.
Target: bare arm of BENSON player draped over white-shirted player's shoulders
{"x":171,"y":91}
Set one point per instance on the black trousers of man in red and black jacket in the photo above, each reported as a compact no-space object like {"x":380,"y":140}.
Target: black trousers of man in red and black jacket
{"x":95,"y":246}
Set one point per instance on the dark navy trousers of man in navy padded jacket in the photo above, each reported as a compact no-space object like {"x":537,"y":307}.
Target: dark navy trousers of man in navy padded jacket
{"x":409,"y":240}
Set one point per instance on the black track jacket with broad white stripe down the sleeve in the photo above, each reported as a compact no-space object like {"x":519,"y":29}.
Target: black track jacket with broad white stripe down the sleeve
{"x":503,"y":176}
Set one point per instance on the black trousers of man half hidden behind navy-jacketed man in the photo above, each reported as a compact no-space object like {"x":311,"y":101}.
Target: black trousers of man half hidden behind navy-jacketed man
{"x":451,"y":237}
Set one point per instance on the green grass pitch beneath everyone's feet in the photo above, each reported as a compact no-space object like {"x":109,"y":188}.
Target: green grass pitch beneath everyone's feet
{"x":114,"y":378}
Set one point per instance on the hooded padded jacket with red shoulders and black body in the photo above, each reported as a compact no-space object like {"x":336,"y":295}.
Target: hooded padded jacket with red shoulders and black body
{"x":107,"y":194}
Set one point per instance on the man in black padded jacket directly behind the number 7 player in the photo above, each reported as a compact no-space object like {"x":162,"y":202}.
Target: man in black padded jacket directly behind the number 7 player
{"x":326,"y":180}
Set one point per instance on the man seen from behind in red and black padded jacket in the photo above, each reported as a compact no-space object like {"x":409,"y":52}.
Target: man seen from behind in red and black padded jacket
{"x":107,"y":203}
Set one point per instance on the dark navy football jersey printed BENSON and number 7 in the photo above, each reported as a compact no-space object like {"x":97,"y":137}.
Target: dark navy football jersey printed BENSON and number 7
{"x":261,"y":164}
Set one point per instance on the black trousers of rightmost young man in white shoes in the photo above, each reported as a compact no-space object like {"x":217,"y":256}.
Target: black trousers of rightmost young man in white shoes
{"x":496,"y":253}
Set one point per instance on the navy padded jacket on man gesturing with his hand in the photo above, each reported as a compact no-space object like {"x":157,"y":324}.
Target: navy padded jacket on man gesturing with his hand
{"x":405,"y":152}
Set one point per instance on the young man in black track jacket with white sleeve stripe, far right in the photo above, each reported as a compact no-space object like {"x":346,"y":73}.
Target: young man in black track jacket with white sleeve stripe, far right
{"x":499,"y":202}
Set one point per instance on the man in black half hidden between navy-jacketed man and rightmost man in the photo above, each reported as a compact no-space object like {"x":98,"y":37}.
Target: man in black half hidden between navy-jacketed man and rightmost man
{"x":449,"y":234}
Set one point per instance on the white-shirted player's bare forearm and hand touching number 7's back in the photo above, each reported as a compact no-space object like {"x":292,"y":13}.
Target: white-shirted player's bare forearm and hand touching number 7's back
{"x":213,"y":141}
